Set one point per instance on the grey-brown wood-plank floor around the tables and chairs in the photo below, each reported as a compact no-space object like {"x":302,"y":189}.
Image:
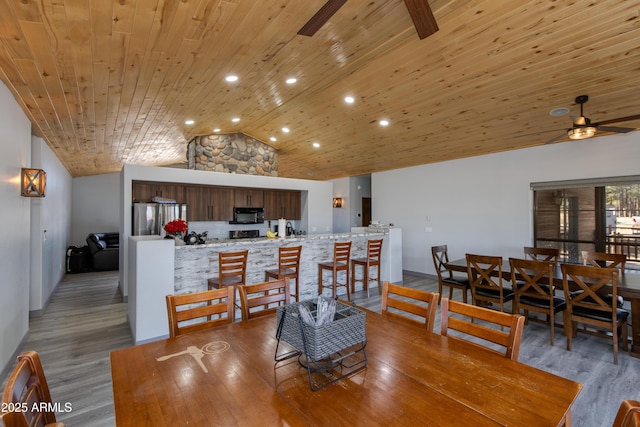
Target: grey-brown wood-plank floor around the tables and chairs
{"x":86,"y":319}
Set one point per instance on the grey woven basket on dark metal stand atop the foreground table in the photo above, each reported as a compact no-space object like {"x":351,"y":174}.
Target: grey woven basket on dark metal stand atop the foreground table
{"x":328,"y":336}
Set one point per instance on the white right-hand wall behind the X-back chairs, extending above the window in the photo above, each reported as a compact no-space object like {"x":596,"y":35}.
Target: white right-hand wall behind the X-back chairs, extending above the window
{"x":484,"y":204}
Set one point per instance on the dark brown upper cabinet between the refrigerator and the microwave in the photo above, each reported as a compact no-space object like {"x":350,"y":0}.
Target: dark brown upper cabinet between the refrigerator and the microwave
{"x":209,"y":203}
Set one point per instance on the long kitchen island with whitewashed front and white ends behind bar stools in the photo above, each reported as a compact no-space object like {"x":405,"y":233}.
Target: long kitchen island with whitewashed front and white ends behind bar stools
{"x":192,"y":265}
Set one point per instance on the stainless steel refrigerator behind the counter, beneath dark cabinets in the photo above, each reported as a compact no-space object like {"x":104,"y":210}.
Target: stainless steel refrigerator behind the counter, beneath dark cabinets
{"x":150,"y":218}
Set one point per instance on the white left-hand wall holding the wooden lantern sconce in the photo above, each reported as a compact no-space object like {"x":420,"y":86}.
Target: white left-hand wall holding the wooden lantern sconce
{"x":31,"y":266}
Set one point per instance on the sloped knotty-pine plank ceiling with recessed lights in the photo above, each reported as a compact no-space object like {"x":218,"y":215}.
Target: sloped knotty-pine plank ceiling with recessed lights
{"x":112,"y":82}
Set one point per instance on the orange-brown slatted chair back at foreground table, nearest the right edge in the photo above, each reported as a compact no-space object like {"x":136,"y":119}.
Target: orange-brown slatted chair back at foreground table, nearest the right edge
{"x":485,"y":331}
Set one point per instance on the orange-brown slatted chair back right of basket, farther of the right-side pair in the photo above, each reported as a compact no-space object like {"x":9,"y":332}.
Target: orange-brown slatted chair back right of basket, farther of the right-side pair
{"x":409,"y":304}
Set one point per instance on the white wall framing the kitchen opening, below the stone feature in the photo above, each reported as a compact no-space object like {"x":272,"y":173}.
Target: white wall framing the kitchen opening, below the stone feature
{"x":316,"y":198}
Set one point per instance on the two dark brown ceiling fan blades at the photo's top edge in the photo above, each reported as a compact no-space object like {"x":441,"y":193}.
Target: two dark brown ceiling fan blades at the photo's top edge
{"x":420,"y":12}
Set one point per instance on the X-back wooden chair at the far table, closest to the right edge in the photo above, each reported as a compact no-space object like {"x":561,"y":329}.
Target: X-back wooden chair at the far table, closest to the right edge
{"x":590,"y":303}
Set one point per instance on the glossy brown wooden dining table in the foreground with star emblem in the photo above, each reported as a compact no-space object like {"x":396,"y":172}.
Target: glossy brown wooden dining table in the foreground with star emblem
{"x":227,"y":376}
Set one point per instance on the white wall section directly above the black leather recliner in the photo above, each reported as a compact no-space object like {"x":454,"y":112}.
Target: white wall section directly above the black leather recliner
{"x":96,"y":206}
